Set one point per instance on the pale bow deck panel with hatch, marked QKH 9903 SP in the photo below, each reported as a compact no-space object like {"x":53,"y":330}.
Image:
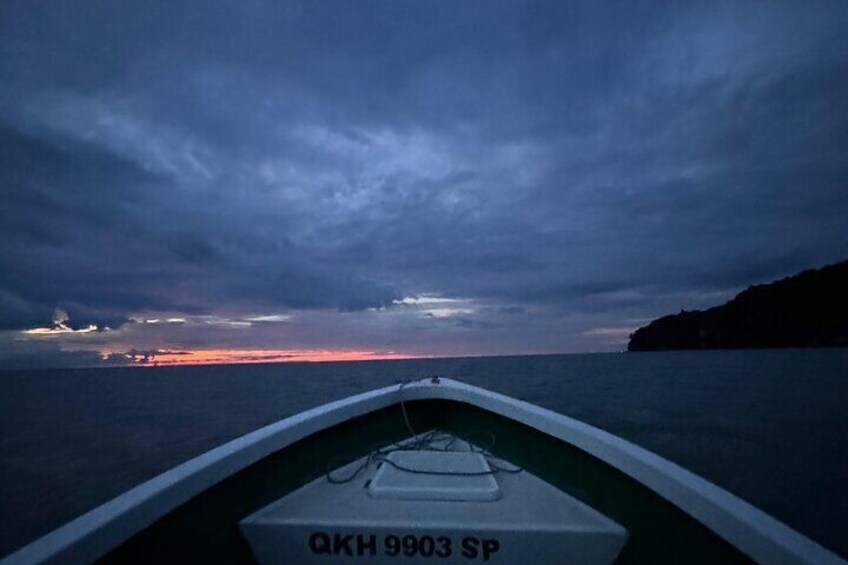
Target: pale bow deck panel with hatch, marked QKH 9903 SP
{"x":511,"y":515}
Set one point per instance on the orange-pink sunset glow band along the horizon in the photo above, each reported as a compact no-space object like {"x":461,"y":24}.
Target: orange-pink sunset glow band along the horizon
{"x":238,"y":356}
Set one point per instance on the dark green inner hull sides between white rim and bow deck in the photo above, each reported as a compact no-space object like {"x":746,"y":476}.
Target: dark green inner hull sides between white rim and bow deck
{"x":659,"y":531}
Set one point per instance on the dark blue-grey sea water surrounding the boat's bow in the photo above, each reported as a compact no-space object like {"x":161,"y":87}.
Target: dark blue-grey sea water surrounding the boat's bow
{"x":770,"y":426}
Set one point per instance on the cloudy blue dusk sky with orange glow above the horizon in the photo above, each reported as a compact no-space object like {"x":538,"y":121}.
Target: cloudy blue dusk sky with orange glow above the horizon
{"x":241,"y":181}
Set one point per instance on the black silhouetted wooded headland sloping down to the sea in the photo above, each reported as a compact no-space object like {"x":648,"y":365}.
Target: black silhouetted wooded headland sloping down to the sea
{"x":809,"y":309}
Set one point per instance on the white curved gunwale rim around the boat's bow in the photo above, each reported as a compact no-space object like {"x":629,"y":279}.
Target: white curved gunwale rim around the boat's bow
{"x":752,"y":531}
